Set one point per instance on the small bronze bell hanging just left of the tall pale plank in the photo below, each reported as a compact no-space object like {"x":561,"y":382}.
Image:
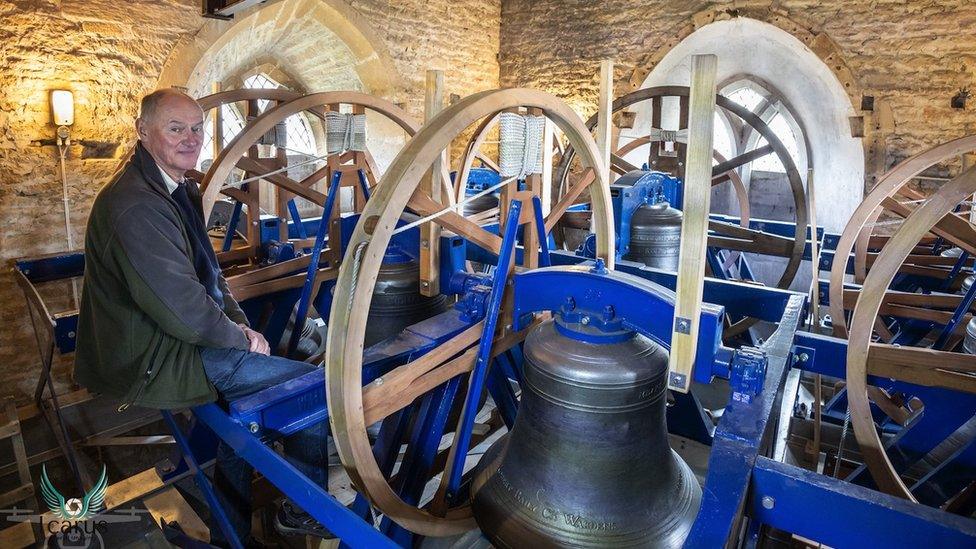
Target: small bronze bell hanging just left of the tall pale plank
{"x":655,"y":236}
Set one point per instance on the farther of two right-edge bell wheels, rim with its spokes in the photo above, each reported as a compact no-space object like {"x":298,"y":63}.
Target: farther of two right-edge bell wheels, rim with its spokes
{"x":857,"y":233}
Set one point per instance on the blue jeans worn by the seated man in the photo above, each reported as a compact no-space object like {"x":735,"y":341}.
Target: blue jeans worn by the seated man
{"x":235,"y":374}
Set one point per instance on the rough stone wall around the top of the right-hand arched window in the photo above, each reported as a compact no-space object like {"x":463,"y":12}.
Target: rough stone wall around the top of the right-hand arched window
{"x":912,"y":57}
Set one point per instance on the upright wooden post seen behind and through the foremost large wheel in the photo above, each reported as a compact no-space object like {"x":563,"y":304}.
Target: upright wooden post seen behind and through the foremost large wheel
{"x":431,"y":185}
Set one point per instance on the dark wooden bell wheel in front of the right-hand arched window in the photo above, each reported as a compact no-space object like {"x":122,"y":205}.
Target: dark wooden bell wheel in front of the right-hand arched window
{"x":728,"y":236}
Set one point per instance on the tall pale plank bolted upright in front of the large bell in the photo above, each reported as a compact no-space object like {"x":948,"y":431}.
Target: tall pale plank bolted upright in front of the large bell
{"x":694,"y":227}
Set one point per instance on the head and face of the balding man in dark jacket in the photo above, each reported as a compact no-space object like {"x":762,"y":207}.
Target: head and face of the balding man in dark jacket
{"x":174,"y":134}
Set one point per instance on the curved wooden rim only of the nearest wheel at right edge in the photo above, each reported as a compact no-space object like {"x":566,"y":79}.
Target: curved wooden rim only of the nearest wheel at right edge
{"x":866,"y":311}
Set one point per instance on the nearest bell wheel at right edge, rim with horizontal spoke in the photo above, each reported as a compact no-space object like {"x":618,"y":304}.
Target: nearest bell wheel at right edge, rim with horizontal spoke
{"x":920,"y":366}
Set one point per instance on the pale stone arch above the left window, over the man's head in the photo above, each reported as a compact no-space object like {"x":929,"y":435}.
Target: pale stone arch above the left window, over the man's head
{"x":278,"y":34}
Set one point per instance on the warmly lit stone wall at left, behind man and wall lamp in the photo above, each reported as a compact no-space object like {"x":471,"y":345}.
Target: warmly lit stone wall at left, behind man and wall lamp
{"x":109,"y":54}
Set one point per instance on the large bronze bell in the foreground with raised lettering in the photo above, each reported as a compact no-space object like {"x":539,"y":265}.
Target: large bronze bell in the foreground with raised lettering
{"x":587,"y":463}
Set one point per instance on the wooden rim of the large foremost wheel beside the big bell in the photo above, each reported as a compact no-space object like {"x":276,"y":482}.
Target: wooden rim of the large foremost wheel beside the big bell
{"x":357,"y":278}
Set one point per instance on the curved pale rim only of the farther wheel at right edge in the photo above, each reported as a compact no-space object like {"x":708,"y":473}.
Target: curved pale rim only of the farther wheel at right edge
{"x":869,"y":210}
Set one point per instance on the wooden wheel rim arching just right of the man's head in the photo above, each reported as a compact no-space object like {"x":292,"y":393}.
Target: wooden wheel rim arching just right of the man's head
{"x":227,"y":159}
